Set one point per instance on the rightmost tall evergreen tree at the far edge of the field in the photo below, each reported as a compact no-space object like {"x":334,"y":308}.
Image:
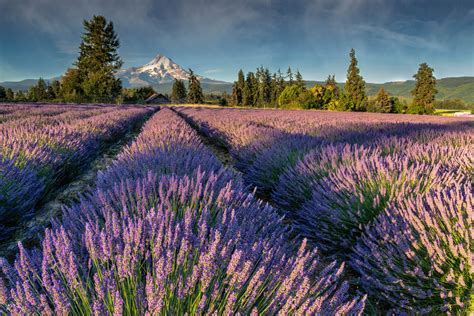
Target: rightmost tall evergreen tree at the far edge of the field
{"x":424,"y":92}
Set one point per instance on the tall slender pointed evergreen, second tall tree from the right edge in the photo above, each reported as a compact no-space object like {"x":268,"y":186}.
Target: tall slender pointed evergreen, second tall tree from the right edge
{"x":354,"y":89}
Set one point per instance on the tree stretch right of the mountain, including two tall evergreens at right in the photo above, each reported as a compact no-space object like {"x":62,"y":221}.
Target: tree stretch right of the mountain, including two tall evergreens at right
{"x":261,"y":89}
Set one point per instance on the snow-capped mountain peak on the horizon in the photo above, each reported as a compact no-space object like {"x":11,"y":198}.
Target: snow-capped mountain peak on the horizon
{"x":159,"y":70}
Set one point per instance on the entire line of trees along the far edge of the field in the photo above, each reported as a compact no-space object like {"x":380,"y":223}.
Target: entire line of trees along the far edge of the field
{"x":92,"y":79}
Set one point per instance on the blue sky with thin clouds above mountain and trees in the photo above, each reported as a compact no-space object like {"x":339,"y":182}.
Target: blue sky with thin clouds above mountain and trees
{"x":216,"y":38}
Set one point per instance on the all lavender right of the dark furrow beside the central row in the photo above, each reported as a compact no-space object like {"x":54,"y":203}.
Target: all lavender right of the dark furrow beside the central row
{"x":391,"y":195}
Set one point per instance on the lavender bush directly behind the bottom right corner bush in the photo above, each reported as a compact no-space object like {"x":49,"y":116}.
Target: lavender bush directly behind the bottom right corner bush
{"x":353,"y":195}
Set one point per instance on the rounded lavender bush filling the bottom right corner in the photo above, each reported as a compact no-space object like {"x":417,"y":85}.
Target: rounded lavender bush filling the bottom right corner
{"x":418,"y":253}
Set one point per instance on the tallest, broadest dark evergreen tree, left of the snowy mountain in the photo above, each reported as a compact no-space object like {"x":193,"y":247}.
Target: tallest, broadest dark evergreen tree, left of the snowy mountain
{"x":98,"y":61}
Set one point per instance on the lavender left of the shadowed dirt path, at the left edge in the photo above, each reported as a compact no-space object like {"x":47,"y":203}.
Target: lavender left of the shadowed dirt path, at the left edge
{"x":42,"y":146}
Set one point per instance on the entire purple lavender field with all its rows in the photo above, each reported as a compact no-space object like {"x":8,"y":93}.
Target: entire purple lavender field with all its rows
{"x":223,"y":211}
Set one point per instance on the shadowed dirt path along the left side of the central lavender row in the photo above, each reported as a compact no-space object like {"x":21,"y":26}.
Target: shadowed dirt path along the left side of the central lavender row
{"x":29,"y":232}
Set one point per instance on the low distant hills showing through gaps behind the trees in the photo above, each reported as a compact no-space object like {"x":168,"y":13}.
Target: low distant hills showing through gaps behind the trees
{"x":448,"y":88}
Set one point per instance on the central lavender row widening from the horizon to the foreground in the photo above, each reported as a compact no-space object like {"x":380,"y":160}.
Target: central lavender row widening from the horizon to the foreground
{"x":170,"y":231}
